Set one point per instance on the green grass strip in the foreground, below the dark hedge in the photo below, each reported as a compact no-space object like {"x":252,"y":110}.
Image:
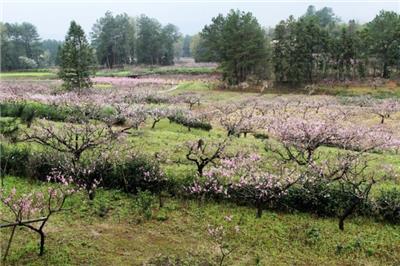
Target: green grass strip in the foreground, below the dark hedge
{"x":110,"y":231}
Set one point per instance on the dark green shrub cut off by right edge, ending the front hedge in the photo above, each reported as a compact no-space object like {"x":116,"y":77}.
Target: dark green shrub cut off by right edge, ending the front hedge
{"x":388,"y":205}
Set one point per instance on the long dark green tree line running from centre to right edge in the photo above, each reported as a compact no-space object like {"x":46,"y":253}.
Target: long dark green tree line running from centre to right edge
{"x":316,"y":46}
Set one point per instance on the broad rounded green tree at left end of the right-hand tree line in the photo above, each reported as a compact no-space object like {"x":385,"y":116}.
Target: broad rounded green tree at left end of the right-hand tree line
{"x":237,"y":41}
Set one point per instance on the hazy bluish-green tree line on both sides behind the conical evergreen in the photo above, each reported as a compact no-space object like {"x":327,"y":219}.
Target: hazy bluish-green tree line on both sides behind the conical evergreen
{"x":116,"y":41}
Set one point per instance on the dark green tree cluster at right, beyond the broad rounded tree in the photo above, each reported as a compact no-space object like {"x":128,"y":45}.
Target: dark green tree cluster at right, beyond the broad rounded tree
{"x":317,"y":46}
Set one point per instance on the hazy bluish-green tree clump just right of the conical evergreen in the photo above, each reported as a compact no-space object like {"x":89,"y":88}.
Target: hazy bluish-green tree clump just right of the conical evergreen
{"x":121,"y":39}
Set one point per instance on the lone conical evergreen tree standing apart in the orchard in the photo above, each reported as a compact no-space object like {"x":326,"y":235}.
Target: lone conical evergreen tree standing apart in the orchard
{"x":76,"y":56}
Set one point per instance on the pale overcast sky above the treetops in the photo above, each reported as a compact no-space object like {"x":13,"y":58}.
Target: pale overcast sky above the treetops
{"x":53,"y":17}
